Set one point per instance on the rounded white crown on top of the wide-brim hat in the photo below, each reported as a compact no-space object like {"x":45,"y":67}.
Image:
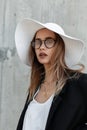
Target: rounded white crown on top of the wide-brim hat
{"x":55,"y":27}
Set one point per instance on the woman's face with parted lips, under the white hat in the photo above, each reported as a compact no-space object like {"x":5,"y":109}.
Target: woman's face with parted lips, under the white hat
{"x":45,"y":51}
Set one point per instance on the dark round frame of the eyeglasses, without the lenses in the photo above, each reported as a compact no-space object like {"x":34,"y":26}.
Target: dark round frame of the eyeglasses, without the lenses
{"x":43,"y":41}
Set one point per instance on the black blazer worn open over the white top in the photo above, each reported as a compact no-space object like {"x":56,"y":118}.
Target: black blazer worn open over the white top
{"x":69,"y":109}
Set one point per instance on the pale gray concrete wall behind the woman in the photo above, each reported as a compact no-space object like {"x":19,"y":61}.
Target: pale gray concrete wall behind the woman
{"x":14,"y":76}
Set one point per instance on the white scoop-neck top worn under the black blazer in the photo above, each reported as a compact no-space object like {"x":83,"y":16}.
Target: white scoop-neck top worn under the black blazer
{"x":36,"y":114}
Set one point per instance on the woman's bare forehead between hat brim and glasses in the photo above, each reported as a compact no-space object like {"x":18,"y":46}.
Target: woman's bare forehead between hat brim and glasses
{"x":43,"y":33}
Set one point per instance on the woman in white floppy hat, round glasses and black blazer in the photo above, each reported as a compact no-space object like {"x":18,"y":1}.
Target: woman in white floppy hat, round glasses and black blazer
{"x":58,"y":88}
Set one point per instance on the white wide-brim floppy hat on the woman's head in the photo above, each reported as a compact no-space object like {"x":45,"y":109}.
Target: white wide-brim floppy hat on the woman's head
{"x":25,"y":31}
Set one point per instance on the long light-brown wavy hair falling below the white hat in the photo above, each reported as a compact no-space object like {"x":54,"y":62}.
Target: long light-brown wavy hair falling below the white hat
{"x":60,"y":71}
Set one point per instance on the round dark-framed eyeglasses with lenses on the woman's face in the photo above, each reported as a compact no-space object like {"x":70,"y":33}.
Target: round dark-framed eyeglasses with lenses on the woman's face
{"x":48,"y":42}
